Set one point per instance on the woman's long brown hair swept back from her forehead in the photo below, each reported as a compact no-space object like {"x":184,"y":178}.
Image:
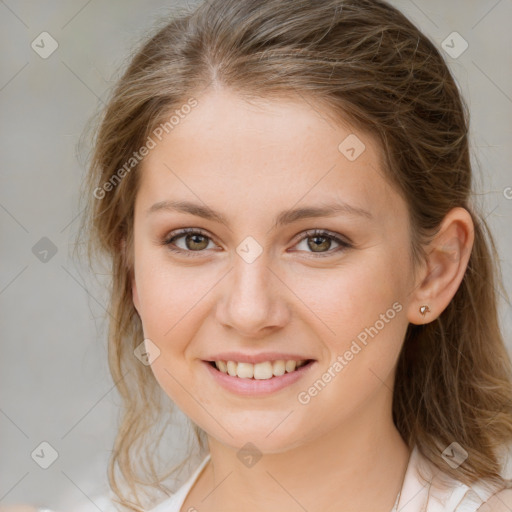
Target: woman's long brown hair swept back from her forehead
{"x":363,"y":61}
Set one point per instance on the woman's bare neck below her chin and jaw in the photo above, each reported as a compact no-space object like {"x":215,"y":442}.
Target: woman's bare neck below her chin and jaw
{"x":359,"y":466}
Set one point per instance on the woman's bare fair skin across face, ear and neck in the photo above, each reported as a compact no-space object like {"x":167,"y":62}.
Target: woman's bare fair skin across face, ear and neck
{"x":250,"y":161}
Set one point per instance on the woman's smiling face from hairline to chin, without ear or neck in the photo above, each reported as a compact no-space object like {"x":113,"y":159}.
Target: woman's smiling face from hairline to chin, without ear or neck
{"x":331,"y":288}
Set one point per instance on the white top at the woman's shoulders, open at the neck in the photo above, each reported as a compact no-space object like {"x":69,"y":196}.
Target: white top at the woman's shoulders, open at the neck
{"x":439,"y":493}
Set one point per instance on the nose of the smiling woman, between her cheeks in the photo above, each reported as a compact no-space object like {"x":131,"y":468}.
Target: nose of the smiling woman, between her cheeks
{"x":253,"y":299}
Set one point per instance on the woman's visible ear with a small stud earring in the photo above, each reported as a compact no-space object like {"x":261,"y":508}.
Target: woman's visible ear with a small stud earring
{"x":446,"y":262}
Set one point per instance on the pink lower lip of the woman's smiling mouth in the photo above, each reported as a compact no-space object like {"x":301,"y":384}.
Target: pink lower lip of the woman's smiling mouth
{"x":257,"y":387}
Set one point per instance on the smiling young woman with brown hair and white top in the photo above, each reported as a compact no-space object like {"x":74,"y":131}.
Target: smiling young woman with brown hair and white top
{"x":284,"y":189}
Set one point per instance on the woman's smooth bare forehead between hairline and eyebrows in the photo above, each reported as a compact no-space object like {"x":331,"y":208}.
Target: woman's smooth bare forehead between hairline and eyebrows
{"x":266,"y":152}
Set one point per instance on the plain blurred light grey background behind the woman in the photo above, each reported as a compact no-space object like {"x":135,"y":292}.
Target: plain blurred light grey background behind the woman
{"x":54,"y":380}
